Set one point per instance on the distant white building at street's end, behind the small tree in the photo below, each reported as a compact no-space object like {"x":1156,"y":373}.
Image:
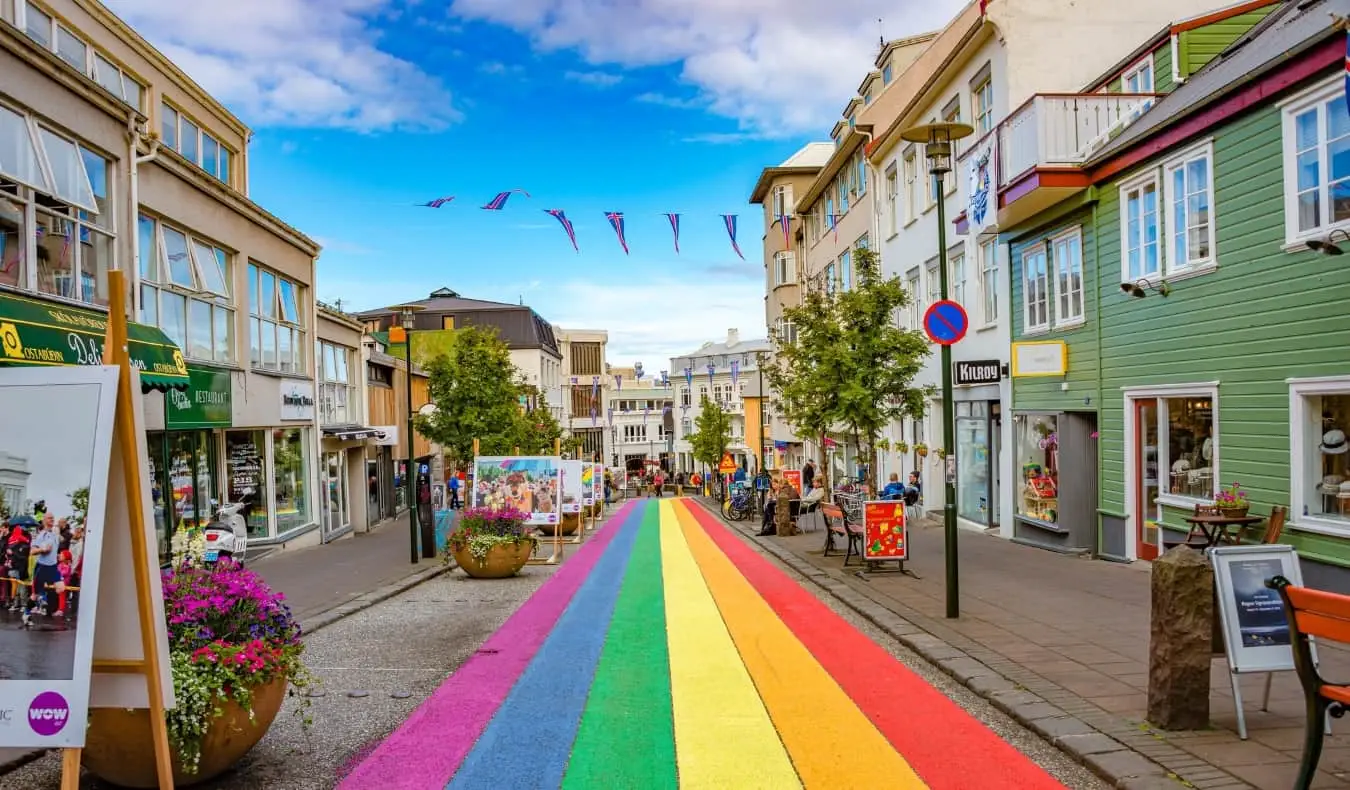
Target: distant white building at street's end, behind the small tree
{"x":720,"y":373}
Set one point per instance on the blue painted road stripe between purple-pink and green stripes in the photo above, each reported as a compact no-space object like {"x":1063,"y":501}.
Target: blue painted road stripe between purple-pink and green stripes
{"x":529,"y":742}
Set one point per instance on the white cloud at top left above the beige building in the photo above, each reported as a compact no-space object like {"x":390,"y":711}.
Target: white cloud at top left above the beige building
{"x":295,"y":63}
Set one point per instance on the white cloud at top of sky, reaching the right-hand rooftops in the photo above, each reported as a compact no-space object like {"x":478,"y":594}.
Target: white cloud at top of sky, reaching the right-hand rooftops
{"x":776,"y":67}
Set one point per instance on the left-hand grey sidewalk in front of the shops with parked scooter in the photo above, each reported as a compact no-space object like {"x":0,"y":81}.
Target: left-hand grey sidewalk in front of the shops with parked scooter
{"x":326,"y":583}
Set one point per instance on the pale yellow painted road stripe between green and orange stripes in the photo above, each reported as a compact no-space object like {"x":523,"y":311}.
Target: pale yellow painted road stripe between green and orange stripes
{"x":723,"y":735}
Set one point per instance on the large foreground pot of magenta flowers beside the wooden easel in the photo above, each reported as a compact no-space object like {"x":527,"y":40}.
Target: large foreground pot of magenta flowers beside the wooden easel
{"x":234,"y":652}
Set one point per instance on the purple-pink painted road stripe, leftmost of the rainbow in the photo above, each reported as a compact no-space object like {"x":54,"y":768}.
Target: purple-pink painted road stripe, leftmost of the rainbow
{"x":427,"y":750}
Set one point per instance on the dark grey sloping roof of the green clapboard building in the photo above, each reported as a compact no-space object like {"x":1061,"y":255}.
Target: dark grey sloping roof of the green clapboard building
{"x":1289,"y":32}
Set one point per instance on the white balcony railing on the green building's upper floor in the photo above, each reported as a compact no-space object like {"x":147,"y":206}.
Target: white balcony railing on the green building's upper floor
{"x":1063,"y":129}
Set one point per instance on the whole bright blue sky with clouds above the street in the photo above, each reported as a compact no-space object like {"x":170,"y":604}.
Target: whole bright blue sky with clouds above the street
{"x":362,"y":109}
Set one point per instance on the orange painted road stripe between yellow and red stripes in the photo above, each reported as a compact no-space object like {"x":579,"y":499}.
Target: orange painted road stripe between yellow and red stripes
{"x":832,"y":743}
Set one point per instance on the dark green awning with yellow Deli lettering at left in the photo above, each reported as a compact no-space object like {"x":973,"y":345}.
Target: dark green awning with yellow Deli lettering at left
{"x":43,"y":333}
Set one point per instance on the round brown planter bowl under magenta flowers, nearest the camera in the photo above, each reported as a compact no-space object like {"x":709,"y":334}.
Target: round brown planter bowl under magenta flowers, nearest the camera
{"x":119,"y":749}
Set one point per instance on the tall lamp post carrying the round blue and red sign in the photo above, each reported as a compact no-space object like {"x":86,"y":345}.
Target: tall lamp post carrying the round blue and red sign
{"x":938,"y":149}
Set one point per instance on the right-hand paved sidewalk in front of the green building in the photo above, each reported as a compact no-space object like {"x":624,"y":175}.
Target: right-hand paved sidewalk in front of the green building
{"x":1063,"y":645}
